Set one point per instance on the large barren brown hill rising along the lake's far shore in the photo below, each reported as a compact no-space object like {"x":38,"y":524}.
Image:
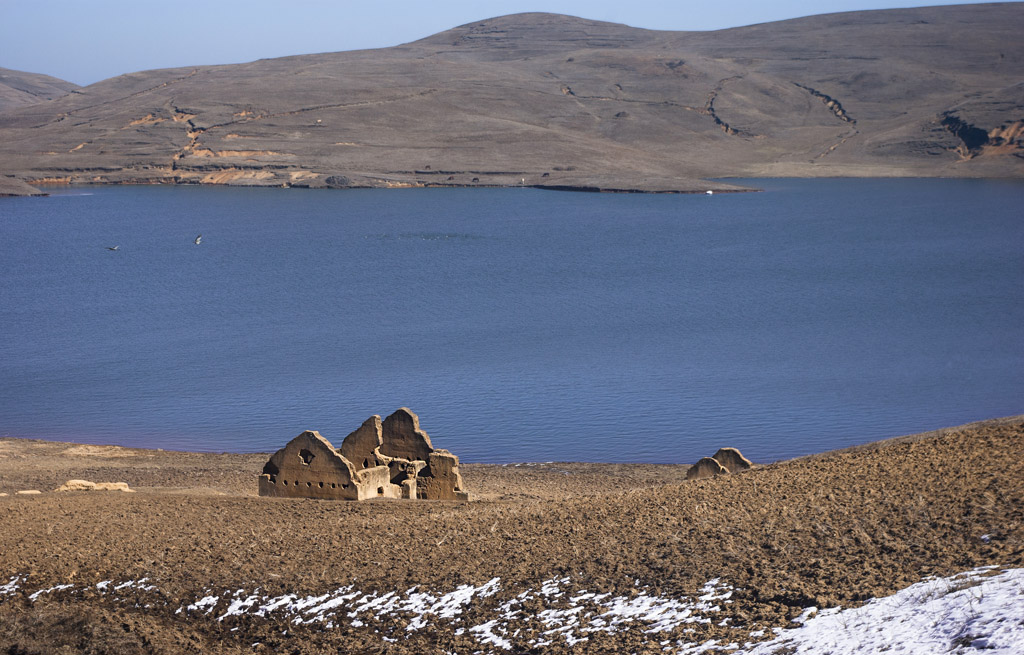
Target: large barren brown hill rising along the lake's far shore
{"x":559,"y":102}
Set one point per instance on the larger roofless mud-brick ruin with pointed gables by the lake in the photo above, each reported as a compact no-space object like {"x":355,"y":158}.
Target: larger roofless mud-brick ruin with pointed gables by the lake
{"x":393,"y":459}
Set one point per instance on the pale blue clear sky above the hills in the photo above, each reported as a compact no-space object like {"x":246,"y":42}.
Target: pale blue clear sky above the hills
{"x":87,"y":41}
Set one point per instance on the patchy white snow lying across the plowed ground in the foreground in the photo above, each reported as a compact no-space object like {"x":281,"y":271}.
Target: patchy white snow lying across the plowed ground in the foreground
{"x":979,"y":610}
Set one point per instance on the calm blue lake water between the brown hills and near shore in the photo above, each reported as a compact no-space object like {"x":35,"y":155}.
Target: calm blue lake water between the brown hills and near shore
{"x":521,"y":325}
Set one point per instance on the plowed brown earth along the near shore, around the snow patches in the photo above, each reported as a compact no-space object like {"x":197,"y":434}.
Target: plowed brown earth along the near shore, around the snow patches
{"x":825,"y":531}
